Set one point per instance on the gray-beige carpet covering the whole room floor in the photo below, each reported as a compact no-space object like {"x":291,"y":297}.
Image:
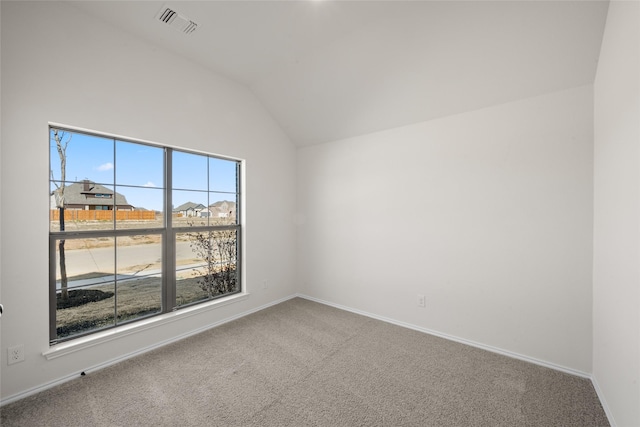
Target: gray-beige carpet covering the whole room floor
{"x":302,"y":363}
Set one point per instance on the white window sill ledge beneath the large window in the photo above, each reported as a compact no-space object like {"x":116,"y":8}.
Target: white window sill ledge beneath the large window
{"x":83,"y":343}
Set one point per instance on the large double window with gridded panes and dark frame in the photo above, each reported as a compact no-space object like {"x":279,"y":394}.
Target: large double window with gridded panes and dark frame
{"x":136,"y":230}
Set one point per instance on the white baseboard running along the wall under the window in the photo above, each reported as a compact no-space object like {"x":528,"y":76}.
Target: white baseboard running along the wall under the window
{"x":59,"y":381}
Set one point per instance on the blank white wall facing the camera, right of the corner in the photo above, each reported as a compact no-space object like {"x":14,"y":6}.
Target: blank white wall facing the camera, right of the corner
{"x":487,"y":213}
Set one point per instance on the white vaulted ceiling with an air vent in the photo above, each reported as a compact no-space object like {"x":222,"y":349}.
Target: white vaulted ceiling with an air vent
{"x":328,"y":70}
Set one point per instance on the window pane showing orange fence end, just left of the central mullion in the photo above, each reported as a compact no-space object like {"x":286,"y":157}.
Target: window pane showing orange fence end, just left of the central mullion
{"x":143,"y":207}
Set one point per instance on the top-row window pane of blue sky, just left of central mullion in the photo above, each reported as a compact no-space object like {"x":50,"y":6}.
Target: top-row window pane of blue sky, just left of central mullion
{"x":139,"y":165}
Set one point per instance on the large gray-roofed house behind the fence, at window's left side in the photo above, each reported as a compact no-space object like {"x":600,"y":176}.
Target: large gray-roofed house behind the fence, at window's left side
{"x":87,"y":195}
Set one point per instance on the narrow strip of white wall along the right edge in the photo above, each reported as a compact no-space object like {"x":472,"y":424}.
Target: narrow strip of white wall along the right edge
{"x":616,"y":308}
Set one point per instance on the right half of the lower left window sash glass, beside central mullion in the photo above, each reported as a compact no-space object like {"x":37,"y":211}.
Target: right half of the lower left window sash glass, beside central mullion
{"x":139,"y":279}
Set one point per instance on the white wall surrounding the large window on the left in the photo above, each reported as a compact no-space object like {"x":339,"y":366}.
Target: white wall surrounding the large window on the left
{"x":61,"y":66}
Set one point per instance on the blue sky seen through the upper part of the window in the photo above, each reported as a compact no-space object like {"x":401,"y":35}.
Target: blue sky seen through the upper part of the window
{"x":137,"y":171}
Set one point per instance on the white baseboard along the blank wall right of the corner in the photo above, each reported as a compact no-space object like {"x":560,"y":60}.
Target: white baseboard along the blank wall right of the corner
{"x":455,"y":339}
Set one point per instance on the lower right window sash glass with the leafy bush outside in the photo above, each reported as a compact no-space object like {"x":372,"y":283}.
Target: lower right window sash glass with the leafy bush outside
{"x":206,"y":265}
